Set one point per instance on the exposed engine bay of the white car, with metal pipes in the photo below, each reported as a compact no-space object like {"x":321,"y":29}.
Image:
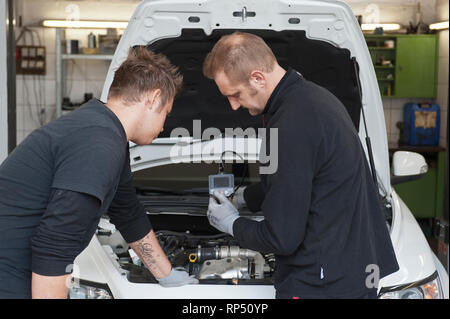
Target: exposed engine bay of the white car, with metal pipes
{"x":211,"y":258}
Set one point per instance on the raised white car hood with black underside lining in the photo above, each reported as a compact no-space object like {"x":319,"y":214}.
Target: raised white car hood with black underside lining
{"x":321,"y":39}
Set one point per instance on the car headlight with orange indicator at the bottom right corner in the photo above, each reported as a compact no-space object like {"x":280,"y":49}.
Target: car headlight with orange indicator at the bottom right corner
{"x":429,"y":288}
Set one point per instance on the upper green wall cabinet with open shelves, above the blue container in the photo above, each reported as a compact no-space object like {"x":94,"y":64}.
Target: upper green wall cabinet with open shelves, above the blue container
{"x":406,"y":65}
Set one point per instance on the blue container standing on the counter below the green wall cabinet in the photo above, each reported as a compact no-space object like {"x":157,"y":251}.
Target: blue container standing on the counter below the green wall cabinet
{"x":421,"y":124}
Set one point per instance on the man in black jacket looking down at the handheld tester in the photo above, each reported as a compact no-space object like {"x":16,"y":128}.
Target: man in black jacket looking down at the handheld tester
{"x":322,"y":215}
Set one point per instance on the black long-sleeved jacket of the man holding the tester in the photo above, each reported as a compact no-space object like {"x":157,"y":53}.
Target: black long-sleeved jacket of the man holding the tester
{"x":322,"y":215}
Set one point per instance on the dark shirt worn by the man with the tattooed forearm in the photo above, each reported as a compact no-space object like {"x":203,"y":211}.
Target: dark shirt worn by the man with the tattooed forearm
{"x":84,"y":152}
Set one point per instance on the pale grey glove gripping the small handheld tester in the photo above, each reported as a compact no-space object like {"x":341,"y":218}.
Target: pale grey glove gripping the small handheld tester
{"x":222,"y":215}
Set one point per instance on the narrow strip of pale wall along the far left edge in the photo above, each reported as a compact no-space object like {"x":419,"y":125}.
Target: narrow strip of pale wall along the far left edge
{"x":3,"y":87}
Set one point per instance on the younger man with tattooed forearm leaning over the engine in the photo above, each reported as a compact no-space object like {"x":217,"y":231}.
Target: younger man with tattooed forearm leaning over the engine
{"x":64,"y":176}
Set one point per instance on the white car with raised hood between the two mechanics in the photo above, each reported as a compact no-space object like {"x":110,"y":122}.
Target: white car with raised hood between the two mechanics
{"x":321,"y":39}
